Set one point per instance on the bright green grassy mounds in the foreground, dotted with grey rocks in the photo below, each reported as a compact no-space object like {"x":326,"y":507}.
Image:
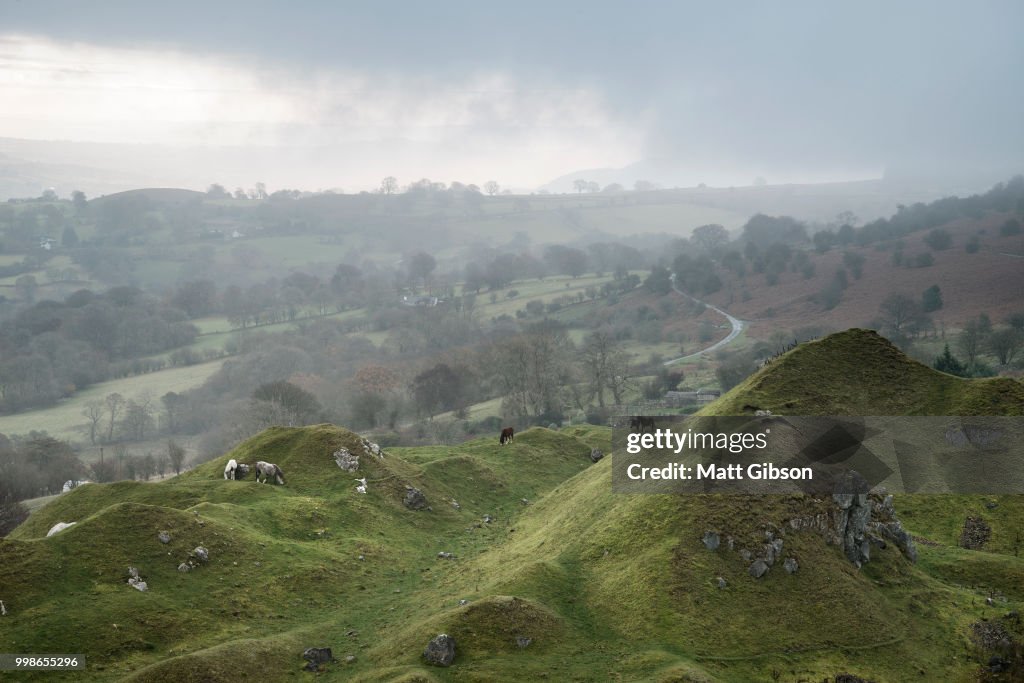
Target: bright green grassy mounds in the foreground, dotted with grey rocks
{"x":606,"y":587}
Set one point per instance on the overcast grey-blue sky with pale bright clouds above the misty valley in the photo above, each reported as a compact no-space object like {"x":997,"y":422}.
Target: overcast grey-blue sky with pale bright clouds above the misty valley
{"x":319,"y":95}
